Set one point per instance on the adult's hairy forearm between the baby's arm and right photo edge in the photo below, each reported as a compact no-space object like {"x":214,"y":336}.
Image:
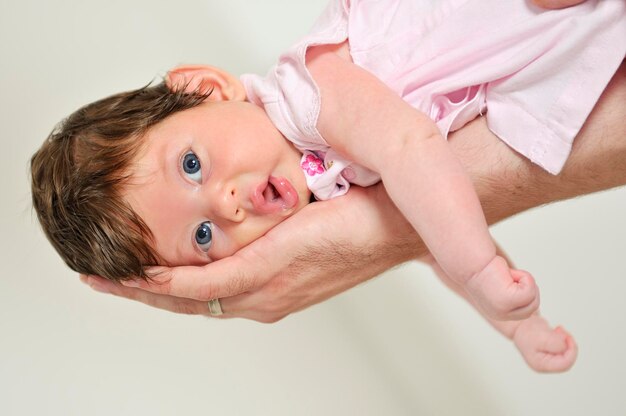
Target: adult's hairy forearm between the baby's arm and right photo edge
{"x":513,"y":184}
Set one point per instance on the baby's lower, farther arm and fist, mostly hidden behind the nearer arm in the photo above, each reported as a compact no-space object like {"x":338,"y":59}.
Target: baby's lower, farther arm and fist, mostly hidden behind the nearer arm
{"x":544,"y":349}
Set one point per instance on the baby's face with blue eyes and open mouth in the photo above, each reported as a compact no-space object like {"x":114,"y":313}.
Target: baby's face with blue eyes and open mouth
{"x":214,"y":178}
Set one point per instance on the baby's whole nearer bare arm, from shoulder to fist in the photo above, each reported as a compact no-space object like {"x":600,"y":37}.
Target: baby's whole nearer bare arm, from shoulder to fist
{"x":423,"y":178}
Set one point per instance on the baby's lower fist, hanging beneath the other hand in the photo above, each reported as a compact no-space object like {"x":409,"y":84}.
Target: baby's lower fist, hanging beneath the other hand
{"x":545,"y":349}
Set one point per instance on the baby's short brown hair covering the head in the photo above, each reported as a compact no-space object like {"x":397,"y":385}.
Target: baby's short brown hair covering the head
{"x":78,"y":175}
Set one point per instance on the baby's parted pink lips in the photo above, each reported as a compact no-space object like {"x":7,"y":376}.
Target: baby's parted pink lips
{"x":275,"y":195}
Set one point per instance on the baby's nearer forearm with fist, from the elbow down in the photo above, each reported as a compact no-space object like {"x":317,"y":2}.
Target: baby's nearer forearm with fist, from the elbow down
{"x":434,"y":192}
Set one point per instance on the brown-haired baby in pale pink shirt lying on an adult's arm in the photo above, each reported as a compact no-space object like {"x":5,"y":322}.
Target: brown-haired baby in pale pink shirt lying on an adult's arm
{"x":189,"y":172}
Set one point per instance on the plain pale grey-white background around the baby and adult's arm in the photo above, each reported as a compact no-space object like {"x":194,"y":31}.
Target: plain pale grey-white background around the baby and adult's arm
{"x":399,"y":345}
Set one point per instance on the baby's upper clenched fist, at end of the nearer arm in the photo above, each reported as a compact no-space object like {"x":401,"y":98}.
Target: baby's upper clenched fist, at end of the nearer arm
{"x":504,"y":293}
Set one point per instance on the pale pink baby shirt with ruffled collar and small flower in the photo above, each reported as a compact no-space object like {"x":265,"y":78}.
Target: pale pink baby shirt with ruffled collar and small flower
{"x":536,"y":73}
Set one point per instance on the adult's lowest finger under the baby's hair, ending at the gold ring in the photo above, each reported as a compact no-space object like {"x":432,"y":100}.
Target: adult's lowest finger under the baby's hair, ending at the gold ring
{"x":168,"y":303}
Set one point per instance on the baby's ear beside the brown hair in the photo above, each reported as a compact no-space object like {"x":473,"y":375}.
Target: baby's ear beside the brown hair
{"x":205,"y":78}
